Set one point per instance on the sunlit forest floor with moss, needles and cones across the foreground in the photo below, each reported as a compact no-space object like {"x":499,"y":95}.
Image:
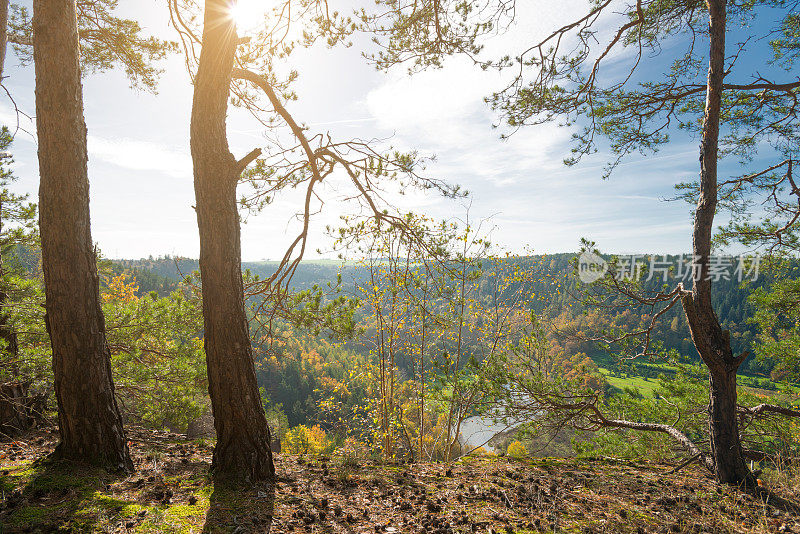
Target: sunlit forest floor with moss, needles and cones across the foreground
{"x":171,"y":491}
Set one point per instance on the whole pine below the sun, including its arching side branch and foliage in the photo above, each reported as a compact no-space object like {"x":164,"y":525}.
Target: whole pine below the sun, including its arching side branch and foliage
{"x":245,"y":70}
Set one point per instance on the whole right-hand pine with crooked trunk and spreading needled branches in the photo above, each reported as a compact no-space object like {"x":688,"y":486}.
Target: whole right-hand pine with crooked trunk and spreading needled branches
{"x":628,"y":74}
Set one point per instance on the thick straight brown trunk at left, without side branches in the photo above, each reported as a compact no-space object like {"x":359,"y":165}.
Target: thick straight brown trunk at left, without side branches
{"x":89,"y":420}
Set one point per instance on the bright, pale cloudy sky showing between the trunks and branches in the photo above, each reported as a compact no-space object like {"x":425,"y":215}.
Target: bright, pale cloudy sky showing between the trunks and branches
{"x":141,"y":176}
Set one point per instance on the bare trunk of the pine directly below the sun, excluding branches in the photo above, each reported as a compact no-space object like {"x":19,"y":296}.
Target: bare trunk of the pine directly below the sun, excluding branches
{"x":242,"y":452}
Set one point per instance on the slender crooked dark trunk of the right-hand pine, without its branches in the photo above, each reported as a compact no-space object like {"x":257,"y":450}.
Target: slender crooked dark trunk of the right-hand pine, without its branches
{"x":711,"y":341}
